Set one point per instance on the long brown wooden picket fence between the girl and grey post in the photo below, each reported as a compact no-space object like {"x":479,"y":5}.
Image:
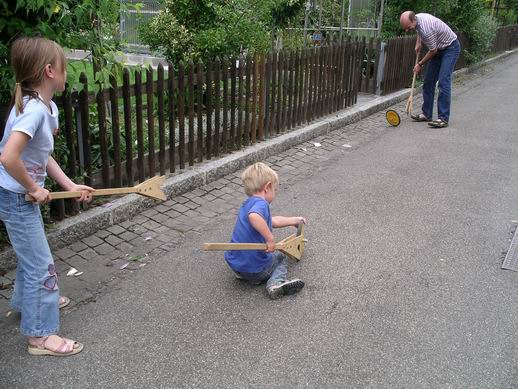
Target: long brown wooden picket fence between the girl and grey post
{"x":172,"y":118}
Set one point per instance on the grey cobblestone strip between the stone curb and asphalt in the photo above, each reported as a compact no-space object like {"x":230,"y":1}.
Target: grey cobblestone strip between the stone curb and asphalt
{"x":116,"y":252}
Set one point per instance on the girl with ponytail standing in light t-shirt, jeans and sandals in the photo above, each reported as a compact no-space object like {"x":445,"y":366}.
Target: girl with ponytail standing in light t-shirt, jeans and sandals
{"x":39,"y":67}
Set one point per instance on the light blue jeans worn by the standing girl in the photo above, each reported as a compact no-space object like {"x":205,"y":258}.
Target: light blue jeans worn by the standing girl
{"x":36,"y":293}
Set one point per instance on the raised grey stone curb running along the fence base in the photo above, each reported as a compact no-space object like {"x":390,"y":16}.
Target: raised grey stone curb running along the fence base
{"x":117,"y":211}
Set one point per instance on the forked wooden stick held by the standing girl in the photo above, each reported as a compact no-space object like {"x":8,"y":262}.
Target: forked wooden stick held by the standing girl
{"x":149,"y":188}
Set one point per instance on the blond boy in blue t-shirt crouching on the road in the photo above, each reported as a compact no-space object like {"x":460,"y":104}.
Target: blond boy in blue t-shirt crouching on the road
{"x":254,"y":225}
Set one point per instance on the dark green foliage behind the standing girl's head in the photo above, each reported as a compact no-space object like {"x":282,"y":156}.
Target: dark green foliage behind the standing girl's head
{"x":81,"y":24}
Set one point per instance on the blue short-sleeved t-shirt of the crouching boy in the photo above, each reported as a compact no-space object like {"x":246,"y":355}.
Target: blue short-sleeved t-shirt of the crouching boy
{"x":250,"y":261}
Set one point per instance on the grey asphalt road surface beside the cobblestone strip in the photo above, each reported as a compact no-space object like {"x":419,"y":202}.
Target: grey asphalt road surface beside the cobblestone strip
{"x":402,"y":270}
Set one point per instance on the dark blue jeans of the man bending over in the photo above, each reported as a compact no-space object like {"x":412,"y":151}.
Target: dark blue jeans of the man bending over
{"x":440,"y":68}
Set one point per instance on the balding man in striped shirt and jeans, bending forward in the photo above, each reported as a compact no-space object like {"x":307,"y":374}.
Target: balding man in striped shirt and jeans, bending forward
{"x":443,"y":51}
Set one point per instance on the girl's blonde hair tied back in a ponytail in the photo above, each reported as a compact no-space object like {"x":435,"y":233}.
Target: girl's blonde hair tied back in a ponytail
{"x":29,"y":56}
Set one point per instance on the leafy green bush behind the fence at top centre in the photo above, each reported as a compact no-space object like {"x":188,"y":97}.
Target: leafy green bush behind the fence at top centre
{"x":192,"y":30}
